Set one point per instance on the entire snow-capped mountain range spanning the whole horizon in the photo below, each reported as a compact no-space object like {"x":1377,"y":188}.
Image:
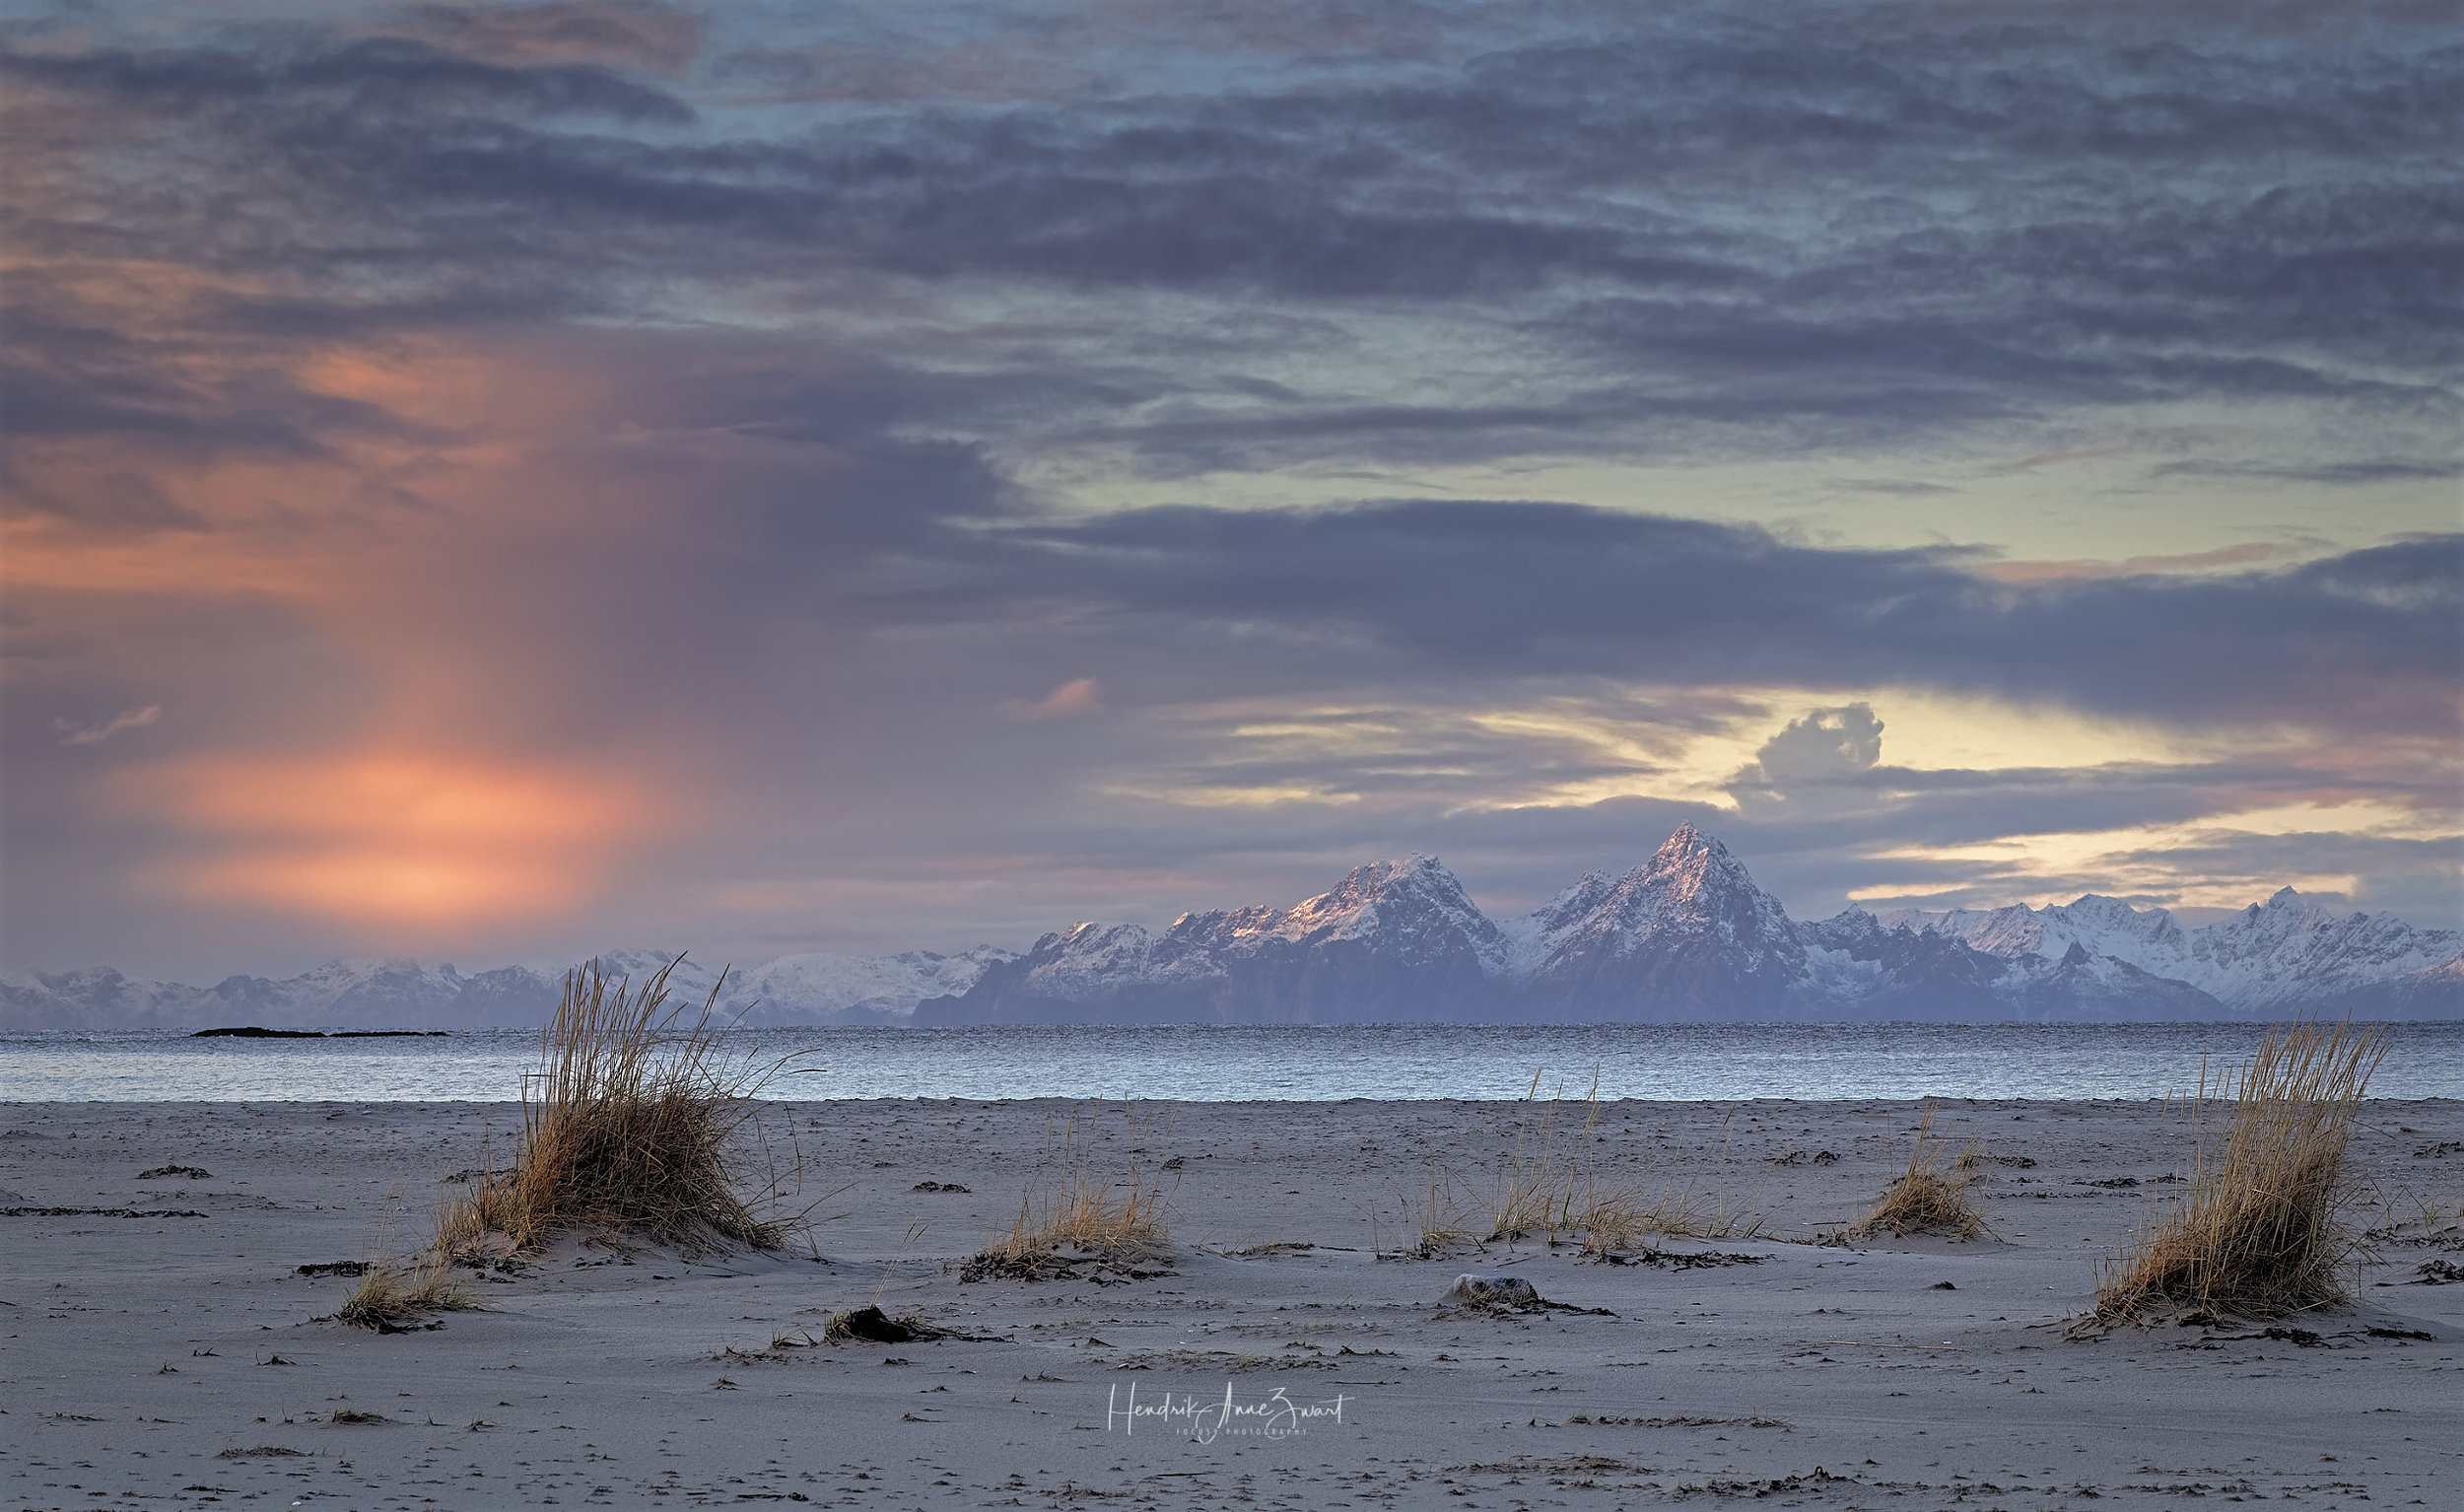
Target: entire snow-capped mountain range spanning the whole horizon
{"x":1684,"y":937}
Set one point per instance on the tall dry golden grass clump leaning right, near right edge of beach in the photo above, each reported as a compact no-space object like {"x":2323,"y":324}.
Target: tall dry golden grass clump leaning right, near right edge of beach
{"x":2258,"y":1233}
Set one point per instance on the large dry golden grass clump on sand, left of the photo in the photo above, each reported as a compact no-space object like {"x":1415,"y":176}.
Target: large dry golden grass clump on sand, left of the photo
{"x":637,"y":1119}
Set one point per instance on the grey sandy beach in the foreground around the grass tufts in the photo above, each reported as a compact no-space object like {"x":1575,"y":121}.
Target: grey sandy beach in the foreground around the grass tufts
{"x":164,"y":1348}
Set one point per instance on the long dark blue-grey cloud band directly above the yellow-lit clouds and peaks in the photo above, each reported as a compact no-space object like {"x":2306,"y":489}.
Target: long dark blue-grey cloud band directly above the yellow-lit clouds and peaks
{"x":1494,"y":590}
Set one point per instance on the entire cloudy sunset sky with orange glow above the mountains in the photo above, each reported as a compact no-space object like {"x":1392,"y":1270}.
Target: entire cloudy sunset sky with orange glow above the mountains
{"x":511,"y":481}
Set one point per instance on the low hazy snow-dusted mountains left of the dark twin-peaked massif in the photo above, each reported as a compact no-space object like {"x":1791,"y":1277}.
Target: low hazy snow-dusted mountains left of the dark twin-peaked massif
{"x":435,"y":996}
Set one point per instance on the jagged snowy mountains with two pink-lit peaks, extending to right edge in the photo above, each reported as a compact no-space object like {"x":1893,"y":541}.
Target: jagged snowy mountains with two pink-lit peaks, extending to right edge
{"x":1689,"y":937}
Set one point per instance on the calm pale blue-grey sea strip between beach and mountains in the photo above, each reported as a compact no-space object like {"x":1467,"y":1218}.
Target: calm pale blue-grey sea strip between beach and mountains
{"x":1241,"y":1065}
